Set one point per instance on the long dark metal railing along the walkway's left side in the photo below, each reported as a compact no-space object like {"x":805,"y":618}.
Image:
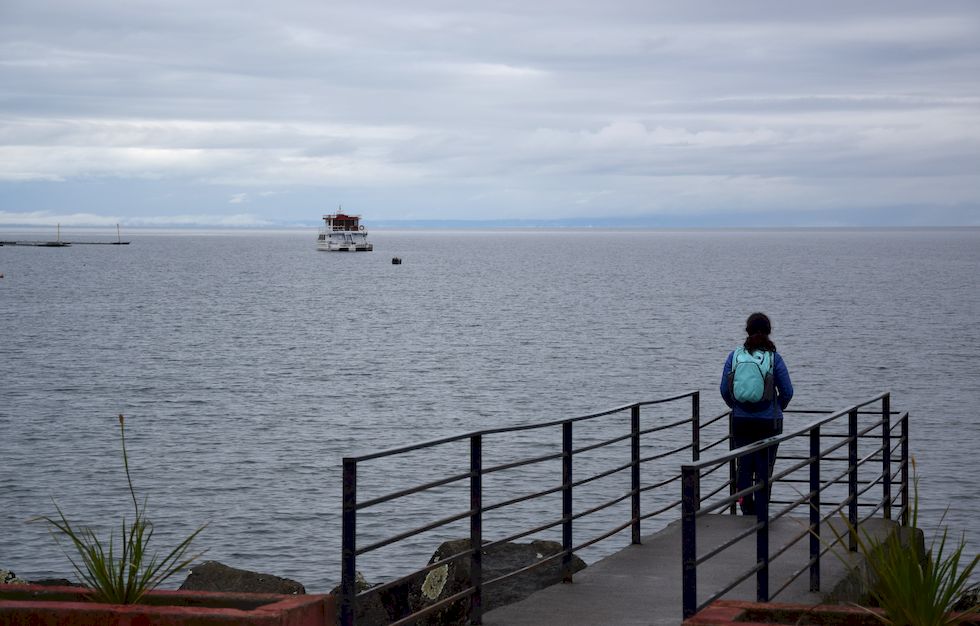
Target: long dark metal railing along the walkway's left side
{"x":474,"y":471}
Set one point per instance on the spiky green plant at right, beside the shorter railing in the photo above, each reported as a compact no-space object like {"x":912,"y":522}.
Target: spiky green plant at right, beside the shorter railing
{"x":915,"y":589}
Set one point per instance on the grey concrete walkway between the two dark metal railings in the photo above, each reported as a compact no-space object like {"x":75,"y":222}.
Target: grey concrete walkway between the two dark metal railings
{"x":641,"y":584}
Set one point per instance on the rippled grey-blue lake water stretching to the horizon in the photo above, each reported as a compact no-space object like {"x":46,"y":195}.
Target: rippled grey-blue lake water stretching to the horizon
{"x":248,"y":364}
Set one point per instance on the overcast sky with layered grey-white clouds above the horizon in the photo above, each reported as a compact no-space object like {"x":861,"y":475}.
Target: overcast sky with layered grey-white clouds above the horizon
{"x":233,"y":112}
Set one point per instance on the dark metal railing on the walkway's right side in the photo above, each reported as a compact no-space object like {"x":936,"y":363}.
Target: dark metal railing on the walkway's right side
{"x":884,"y":442}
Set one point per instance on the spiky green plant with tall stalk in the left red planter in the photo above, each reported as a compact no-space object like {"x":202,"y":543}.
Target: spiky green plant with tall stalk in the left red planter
{"x":123,"y":575}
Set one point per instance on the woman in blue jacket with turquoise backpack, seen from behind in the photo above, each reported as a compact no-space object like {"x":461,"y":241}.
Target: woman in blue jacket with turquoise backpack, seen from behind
{"x":755,"y":384}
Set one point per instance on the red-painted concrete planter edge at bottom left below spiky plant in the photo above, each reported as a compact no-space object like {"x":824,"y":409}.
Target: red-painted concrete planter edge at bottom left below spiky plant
{"x":278,"y":610}
